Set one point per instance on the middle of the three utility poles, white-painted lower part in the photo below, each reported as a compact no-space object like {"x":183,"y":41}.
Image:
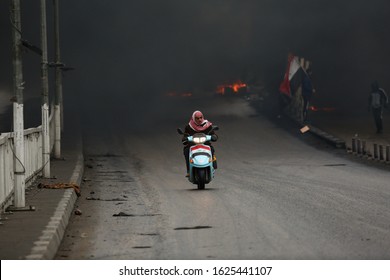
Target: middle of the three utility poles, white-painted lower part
{"x":45,"y":95}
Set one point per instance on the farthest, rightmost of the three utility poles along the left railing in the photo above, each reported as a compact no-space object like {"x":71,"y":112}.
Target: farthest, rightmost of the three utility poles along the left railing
{"x":58,"y":106}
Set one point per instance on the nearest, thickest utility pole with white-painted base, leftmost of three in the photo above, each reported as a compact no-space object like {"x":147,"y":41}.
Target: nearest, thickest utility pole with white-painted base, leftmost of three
{"x":19,"y":169}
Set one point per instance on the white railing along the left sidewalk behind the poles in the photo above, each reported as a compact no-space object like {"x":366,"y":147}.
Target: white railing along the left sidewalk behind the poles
{"x":33,"y":163}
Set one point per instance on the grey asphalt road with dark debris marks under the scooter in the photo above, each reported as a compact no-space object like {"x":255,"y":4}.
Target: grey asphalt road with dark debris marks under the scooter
{"x":276,"y":195}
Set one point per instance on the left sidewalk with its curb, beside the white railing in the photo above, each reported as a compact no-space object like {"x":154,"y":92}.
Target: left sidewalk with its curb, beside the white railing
{"x":37,"y":233}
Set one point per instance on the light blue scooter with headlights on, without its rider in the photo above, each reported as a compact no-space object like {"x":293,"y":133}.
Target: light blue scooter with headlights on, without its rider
{"x":201,"y":161}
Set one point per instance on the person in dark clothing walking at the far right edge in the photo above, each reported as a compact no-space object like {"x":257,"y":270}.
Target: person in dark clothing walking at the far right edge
{"x":376,"y":102}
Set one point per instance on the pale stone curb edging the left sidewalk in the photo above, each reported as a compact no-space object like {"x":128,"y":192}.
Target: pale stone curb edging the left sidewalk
{"x":47,"y":245}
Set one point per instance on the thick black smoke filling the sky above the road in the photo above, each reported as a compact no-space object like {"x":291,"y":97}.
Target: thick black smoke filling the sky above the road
{"x":128,"y":55}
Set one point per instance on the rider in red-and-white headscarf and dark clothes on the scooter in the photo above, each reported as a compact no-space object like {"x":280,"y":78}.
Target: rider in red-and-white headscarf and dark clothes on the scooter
{"x":198,"y":124}
